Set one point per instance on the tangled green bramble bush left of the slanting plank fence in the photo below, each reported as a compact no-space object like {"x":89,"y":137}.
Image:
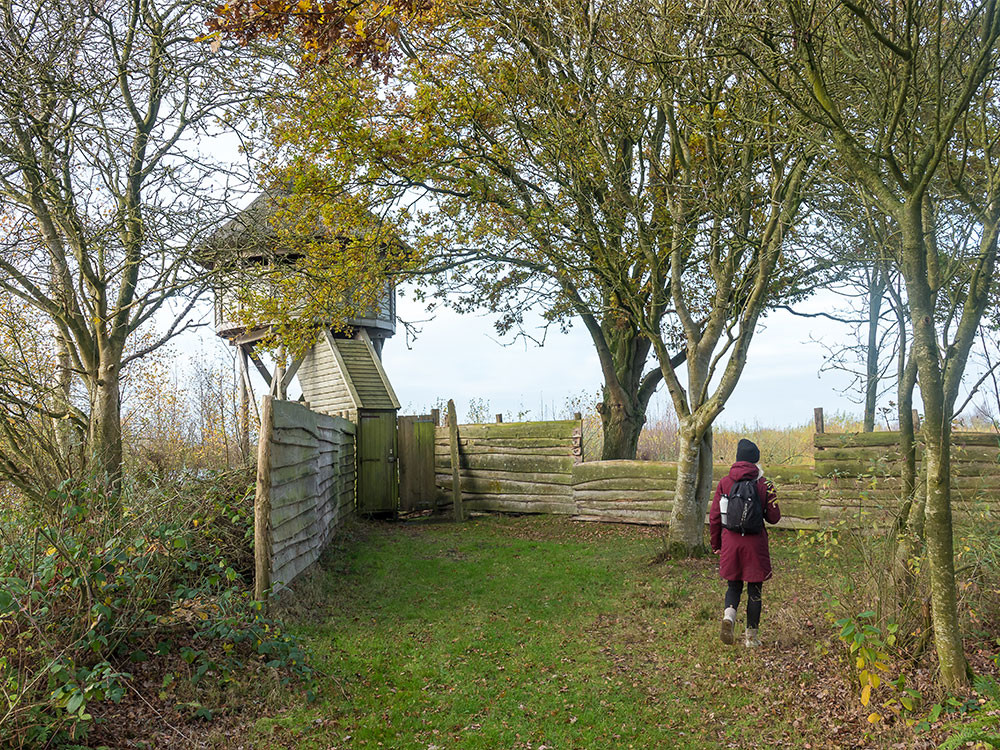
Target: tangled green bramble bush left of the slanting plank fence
{"x":90,"y":586}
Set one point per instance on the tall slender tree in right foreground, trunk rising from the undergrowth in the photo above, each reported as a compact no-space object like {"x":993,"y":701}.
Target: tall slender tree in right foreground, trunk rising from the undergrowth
{"x":908,"y":111}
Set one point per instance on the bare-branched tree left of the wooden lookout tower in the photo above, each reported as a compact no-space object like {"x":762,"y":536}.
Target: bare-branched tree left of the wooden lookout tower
{"x":105,"y":191}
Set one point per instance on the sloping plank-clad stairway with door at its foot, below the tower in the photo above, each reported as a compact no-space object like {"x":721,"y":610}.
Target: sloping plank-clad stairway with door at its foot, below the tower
{"x":344,"y":376}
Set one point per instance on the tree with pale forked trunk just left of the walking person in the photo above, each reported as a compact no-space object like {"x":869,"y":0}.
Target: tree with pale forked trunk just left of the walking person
{"x":732,"y":183}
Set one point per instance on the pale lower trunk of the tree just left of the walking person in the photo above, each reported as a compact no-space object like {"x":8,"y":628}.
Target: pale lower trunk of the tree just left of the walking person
{"x":686,"y":536}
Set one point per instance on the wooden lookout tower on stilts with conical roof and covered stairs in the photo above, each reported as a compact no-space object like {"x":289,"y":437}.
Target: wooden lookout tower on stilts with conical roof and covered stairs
{"x":340,"y":374}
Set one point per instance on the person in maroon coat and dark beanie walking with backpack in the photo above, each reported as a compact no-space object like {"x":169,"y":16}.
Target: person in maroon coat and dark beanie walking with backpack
{"x":743,"y":500}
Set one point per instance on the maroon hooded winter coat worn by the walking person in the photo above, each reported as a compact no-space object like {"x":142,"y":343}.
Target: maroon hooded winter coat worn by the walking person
{"x":743,"y":558}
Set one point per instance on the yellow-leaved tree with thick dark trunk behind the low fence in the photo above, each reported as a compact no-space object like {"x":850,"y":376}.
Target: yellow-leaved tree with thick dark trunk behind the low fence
{"x":520,"y":153}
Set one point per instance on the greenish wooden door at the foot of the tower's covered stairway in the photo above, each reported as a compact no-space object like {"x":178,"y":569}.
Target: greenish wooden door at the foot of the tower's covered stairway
{"x":378,"y":482}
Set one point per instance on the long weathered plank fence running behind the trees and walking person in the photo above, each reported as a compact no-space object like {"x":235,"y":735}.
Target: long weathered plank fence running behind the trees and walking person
{"x":535,"y":467}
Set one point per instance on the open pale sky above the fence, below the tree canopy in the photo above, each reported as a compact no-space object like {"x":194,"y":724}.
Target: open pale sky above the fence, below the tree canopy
{"x":460,"y":357}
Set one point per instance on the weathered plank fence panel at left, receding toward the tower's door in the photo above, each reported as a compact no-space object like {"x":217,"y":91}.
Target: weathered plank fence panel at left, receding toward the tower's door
{"x":305,"y":488}
